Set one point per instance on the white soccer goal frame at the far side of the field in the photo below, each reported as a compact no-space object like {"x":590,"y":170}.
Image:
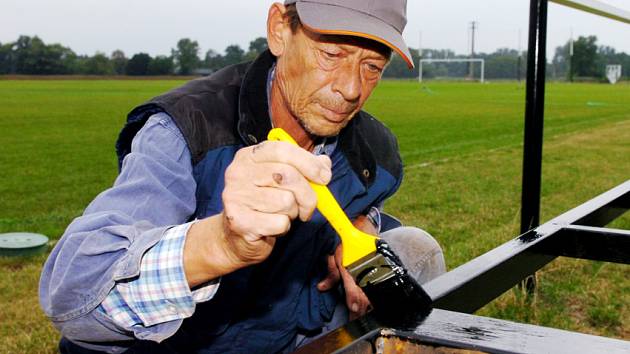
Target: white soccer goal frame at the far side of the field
{"x":452,"y":69}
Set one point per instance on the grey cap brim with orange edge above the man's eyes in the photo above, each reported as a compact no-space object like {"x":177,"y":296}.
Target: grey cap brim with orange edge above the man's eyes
{"x":331,"y":19}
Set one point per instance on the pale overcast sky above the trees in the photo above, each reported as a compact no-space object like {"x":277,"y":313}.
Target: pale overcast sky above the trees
{"x":154,"y":26}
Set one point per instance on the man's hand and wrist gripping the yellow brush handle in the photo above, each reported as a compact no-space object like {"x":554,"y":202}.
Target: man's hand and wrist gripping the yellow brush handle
{"x":266,"y":187}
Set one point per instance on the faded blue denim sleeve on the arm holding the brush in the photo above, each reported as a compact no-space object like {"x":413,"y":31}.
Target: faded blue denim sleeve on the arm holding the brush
{"x":106,"y":246}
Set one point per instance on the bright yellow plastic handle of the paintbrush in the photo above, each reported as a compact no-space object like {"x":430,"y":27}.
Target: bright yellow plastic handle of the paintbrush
{"x":356,"y":244}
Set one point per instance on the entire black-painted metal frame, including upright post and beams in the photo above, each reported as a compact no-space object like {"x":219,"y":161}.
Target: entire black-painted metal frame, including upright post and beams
{"x":578,"y":233}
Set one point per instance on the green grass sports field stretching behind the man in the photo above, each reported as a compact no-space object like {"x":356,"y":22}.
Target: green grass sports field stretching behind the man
{"x":461,"y":145}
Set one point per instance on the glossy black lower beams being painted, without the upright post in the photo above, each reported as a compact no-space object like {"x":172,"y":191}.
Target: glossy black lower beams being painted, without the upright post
{"x":578,"y":233}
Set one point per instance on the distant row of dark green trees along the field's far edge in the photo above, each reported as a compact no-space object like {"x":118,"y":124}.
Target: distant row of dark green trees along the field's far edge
{"x":31,"y":56}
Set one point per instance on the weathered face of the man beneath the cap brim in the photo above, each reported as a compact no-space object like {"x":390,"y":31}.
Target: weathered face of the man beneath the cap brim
{"x":324,"y":80}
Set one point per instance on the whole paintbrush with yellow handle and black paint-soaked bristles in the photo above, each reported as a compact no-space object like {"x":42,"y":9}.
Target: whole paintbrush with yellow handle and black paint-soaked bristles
{"x":397,"y":299}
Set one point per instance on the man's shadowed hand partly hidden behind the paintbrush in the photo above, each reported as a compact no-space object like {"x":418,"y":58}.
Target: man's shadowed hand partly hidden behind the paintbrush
{"x":356,"y":300}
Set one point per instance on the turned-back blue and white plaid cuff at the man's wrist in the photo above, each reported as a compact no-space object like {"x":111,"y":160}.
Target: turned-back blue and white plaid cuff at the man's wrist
{"x":161,"y":292}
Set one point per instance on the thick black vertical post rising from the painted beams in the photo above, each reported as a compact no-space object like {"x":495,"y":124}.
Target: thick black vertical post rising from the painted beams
{"x":534,"y":118}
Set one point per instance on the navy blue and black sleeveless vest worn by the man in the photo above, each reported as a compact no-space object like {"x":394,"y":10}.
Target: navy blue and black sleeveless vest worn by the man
{"x":260,"y":309}
